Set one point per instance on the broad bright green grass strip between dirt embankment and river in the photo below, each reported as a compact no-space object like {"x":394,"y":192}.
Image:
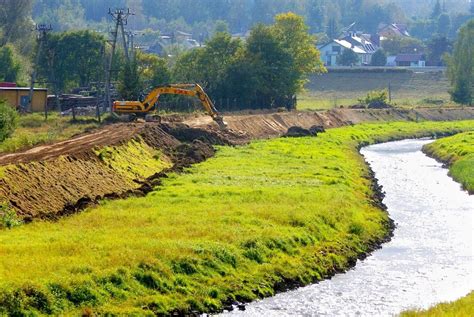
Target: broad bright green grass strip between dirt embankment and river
{"x":233,"y":227}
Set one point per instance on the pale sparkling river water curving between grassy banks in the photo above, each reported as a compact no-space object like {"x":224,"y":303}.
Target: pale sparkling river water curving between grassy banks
{"x":429,"y":260}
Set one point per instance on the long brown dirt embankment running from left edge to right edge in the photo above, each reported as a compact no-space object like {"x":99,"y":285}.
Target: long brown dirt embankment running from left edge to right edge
{"x":61,"y":178}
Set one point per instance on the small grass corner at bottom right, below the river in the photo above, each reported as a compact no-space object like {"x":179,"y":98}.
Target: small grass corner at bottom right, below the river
{"x":460,"y":308}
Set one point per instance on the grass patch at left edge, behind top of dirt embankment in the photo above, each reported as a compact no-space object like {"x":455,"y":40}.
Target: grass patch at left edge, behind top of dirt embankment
{"x":34,"y":130}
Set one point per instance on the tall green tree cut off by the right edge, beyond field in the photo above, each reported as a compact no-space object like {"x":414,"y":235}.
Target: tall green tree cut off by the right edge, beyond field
{"x":461,"y":66}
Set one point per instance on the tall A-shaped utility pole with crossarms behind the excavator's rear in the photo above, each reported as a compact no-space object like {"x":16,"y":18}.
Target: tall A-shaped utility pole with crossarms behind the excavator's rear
{"x":120,"y":17}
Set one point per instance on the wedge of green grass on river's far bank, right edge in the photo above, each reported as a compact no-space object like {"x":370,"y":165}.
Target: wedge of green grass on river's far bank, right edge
{"x":458,"y":152}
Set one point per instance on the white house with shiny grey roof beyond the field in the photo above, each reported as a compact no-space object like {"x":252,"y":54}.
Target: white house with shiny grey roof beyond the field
{"x":356,"y":42}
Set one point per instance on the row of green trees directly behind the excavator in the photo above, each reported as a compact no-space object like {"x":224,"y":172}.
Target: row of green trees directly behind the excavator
{"x":264,"y":71}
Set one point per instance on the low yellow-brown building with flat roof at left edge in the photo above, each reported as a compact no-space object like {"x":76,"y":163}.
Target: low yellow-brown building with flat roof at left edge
{"x":19,"y":97}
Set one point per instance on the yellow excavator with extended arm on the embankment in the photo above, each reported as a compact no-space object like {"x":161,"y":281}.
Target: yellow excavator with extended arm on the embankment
{"x":142,"y":109}
